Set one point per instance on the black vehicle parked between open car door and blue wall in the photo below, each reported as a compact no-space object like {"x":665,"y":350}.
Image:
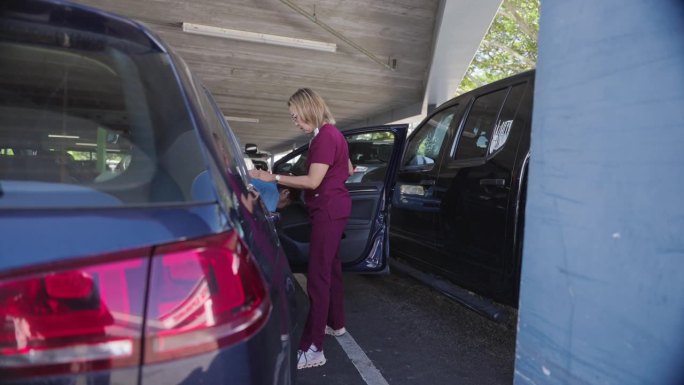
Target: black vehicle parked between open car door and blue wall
{"x":458,"y":205}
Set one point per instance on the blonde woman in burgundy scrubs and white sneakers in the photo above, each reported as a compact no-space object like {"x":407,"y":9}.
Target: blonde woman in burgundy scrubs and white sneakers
{"x":329,"y":205}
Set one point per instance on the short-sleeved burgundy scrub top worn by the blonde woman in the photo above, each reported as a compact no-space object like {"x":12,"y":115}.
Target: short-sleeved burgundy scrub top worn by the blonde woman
{"x":331,"y":197}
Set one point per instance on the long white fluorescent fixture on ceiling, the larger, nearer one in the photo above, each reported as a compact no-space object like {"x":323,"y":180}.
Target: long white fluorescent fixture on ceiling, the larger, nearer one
{"x":258,"y":37}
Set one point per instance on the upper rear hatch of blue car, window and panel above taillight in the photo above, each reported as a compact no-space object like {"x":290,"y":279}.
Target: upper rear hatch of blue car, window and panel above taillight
{"x":99,"y":149}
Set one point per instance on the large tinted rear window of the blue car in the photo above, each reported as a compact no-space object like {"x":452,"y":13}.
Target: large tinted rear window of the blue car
{"x":93,"y":112}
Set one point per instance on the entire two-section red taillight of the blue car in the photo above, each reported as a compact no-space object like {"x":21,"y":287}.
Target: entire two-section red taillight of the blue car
{"x":201,"y":295}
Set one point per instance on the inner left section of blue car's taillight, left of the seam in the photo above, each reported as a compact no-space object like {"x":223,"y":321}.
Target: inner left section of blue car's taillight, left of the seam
{"x":74,"y":319}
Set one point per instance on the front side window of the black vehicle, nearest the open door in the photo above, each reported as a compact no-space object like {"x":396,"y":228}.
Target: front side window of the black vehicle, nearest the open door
{"x":424,"y":146}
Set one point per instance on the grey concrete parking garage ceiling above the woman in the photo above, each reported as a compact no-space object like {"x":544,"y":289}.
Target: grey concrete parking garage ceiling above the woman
{"x":254,"y":80}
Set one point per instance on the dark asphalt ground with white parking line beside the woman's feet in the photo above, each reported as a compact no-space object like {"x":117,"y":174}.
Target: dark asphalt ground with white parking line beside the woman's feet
{"x":402,"y":332}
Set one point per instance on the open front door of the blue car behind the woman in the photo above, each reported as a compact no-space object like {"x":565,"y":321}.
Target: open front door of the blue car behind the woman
{"x":375,"y":153}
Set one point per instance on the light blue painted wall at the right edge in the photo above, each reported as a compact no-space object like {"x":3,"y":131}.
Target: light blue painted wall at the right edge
{"x":602,"y":291}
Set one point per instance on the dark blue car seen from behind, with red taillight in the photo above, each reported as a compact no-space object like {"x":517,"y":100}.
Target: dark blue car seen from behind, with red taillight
{"x":132,"y":249}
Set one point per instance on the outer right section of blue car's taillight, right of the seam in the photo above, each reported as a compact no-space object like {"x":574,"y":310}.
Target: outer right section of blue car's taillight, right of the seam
{"x":203,"y":295}
